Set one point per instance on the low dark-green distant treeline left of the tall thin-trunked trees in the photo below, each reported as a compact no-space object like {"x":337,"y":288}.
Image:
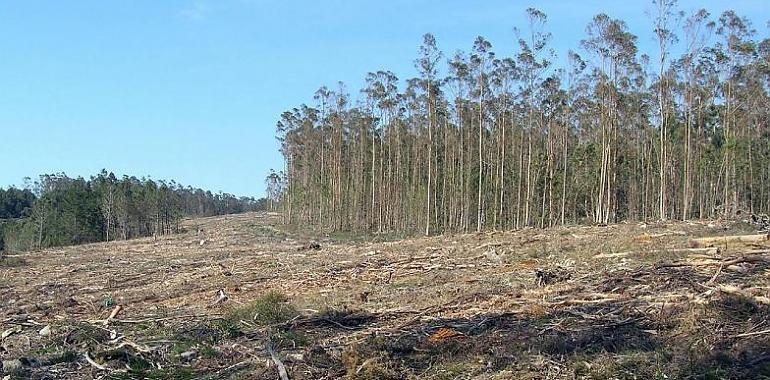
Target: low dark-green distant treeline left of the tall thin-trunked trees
{"x":57,"y":210}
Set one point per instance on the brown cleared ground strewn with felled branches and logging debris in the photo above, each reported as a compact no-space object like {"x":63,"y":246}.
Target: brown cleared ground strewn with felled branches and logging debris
{"x":628,"y":301}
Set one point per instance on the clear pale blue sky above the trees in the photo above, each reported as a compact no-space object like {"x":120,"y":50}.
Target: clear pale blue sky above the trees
{"x":191,"y":90}
